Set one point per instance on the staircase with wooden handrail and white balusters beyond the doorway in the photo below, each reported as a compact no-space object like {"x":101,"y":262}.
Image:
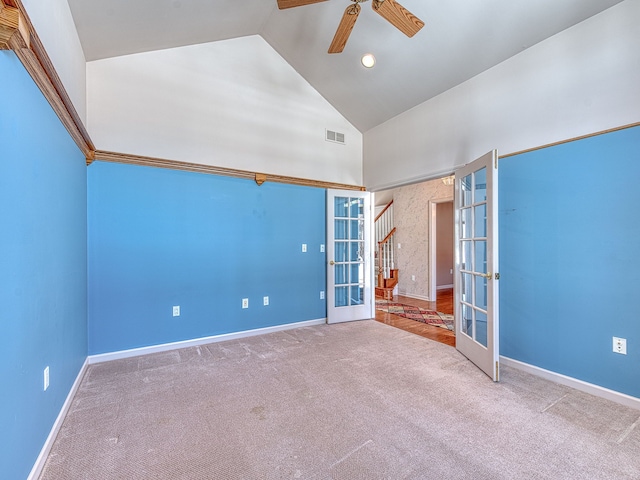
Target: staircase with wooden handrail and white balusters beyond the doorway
{"x":387,"y":274}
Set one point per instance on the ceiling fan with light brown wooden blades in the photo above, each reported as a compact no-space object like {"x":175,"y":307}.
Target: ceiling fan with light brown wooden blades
{"x":390,"y":10}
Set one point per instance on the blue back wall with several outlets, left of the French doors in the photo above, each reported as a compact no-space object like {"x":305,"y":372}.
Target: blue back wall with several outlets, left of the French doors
{"x":159,"y":238}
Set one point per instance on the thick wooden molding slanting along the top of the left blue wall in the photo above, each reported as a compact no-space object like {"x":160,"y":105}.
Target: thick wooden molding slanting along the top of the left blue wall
{"x":17,"y":34}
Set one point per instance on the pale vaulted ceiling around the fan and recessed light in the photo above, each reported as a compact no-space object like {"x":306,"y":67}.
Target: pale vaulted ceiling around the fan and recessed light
{"x":461,"y":39}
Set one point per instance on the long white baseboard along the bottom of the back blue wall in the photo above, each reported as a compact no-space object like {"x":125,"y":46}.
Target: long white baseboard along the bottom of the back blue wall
{"x":165,"y":347}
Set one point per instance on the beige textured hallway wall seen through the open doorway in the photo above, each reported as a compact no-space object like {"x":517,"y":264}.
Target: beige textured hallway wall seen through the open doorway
{"x":411,"y":211}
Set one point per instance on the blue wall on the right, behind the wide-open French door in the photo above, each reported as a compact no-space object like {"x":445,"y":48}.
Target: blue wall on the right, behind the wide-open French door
{"x":569,"y":258}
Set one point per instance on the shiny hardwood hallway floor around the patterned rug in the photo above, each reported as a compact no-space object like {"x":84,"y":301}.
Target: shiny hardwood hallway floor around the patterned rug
{"x":443,"y":303}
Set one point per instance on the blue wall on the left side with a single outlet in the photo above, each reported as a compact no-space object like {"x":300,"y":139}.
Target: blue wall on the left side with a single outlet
{"x":43,"y":267}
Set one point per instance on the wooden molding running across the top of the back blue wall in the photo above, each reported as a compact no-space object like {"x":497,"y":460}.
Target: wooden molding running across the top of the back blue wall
{"x":258,"y":177}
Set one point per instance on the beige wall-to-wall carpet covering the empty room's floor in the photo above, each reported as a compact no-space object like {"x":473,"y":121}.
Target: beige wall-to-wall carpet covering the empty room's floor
{"x":352,"y":401}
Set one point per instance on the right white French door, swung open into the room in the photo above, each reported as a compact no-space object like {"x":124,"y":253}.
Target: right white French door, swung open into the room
{"x":476,"y":263}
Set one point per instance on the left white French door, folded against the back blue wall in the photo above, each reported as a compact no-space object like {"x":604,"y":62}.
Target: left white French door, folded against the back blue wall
{"x":349,"y":256}
